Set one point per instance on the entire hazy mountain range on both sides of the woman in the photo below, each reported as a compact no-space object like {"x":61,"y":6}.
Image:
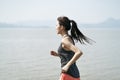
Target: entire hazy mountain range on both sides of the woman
{"x":109,"y":23}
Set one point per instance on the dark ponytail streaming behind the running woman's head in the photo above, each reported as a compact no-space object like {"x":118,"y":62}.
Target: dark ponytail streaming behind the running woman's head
{"x":77,"y":35}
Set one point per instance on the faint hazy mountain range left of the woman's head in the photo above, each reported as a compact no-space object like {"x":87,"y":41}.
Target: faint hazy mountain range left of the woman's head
{"x":29,"y":24}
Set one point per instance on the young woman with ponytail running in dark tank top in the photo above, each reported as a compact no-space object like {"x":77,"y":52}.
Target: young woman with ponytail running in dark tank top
{"x":67,"y":50}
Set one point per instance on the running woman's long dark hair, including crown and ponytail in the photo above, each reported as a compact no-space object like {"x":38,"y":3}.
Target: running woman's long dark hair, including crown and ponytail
{"x":76,"y":34}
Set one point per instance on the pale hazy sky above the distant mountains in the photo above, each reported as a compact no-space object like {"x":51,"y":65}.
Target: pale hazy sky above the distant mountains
{"x":84,"y":11}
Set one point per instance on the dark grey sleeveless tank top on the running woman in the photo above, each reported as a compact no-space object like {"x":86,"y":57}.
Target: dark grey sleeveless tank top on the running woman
{"x":66,"y":56}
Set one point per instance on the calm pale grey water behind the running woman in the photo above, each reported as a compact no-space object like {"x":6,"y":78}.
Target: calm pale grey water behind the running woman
{"x":25,"y":54}
